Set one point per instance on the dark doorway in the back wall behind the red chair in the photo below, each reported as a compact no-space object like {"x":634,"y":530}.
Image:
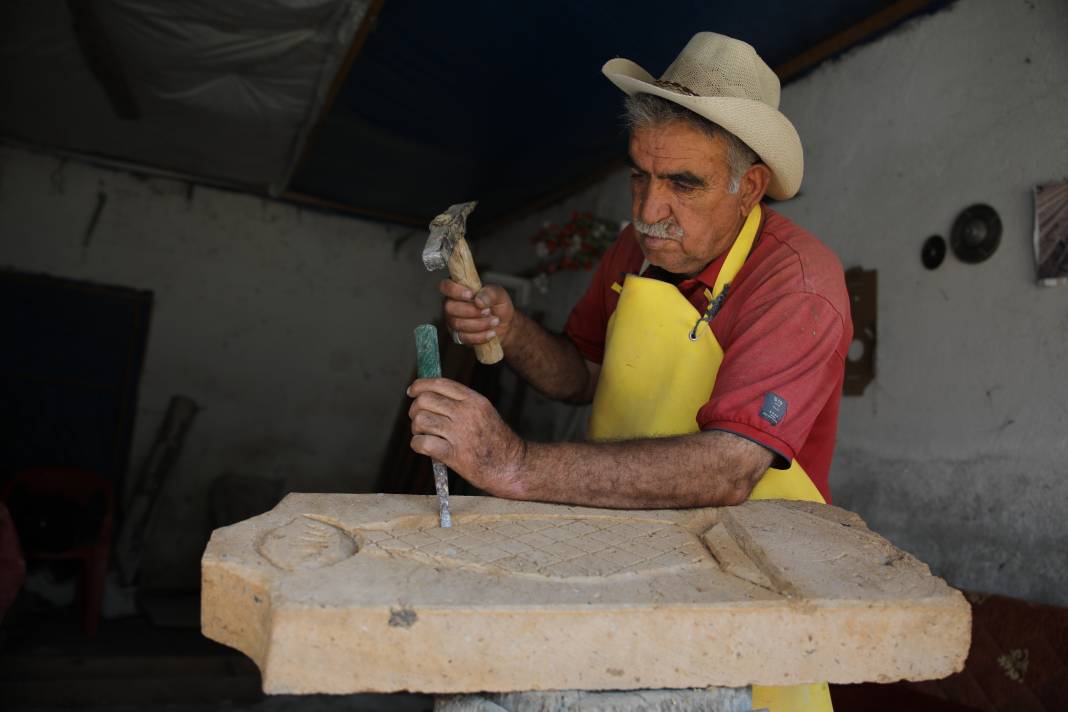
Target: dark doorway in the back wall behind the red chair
{"x":70,"y":368}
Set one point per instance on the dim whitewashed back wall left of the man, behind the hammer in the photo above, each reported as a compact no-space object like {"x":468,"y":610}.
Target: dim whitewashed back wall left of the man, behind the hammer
{"x":291,"y":328}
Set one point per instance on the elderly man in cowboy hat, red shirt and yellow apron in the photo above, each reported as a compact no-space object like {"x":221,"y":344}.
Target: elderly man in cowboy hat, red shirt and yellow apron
{"x":713,"y":337}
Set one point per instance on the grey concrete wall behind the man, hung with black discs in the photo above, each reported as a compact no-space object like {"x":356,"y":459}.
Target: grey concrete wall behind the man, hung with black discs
{"x":959,"y":452}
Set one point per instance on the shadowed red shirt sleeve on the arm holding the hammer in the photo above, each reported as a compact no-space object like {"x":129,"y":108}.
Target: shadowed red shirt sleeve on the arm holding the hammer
{"x":588,"y":323}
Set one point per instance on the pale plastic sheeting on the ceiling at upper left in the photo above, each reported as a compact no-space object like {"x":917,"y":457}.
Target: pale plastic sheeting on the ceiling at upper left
{"x":225,"y":91}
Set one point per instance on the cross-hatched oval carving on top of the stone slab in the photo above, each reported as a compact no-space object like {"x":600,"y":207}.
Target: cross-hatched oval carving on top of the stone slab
{"x":558,"y":548}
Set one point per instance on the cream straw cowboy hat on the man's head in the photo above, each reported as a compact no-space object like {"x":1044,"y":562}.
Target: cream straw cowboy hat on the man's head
{"x":726,"y":82}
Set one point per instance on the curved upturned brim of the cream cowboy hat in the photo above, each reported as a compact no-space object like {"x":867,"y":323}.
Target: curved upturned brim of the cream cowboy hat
{"x":764,"y":130}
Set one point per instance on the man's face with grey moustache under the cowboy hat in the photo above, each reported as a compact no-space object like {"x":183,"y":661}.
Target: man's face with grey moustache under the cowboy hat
{"x":679,"y":186}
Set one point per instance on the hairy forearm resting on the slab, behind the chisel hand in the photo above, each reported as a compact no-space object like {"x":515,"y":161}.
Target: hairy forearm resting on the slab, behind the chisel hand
{"x":705,"y":469}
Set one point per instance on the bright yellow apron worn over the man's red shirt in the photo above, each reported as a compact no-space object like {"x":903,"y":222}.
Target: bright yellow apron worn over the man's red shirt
{"x":659,"y":369}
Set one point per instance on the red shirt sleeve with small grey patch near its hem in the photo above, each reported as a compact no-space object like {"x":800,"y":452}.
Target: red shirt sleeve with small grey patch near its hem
{"x":779,"y":372}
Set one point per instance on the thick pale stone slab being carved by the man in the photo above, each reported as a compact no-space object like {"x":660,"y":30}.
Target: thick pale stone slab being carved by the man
{"x":365,"y":593}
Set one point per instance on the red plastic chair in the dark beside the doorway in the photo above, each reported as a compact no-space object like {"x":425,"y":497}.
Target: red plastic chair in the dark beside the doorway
{"x":83,"y":489}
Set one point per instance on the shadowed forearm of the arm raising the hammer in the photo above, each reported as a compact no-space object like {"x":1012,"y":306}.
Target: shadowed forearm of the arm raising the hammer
{"x":548,"y":361}
